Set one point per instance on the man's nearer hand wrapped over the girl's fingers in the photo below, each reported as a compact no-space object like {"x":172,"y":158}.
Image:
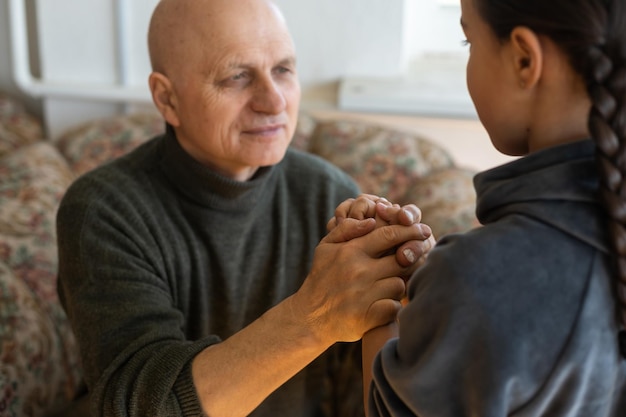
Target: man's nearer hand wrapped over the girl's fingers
{"x":354,"y":284}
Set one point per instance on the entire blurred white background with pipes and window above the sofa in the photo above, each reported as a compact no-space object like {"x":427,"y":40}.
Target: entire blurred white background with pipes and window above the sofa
{"x":399,"y":62}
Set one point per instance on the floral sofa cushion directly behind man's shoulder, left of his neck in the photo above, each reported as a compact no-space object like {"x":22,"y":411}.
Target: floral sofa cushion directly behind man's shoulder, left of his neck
{"x":94,"y":143}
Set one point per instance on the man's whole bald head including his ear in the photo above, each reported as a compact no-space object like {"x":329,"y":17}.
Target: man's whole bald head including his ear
{"x":225,"y":78}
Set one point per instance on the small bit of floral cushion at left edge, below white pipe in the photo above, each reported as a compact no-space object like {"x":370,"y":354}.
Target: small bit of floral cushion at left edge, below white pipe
{"x":17,"y":126}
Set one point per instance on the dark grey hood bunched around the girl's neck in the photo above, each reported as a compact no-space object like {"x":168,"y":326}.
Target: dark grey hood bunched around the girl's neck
{"x":557,"y":186}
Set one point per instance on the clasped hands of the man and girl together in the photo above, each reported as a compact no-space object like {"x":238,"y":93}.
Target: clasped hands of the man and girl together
{"x":359,"y":272}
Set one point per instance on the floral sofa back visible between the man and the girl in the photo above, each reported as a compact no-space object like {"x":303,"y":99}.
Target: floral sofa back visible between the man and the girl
{"x":403,"y":167}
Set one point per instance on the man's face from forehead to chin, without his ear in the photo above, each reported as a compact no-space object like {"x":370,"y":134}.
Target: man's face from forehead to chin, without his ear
{"x":237,"y":95}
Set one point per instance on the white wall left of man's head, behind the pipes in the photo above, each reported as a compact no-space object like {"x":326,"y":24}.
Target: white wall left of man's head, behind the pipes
{"x":78,"y":46}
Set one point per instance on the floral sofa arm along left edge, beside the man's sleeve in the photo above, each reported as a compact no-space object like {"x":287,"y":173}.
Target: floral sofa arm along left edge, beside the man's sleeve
{"x":40,"y":365}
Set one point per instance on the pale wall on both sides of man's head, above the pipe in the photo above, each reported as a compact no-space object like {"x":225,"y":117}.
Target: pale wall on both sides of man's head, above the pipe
{"x":332,"y":38}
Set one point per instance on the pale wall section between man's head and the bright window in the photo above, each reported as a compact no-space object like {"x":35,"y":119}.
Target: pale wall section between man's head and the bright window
{"x":338,"y":37}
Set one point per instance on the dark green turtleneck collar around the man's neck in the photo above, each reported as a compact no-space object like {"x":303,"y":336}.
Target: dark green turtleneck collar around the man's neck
{"x":207,"y":187}
